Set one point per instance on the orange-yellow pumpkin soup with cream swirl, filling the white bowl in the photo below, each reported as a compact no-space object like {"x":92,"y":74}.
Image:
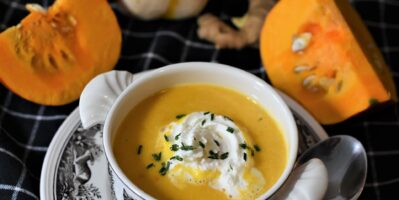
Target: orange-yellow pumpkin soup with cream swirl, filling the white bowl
{"x":199,"y":141}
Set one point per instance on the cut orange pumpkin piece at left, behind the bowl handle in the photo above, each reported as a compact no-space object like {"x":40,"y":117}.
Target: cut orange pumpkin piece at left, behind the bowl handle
{"x":52,"y":54}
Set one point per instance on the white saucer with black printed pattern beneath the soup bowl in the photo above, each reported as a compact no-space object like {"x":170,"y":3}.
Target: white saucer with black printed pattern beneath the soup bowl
{"x":75,"y":166}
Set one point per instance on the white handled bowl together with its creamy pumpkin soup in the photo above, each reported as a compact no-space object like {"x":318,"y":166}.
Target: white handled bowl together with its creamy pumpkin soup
{"x":192,"y":131}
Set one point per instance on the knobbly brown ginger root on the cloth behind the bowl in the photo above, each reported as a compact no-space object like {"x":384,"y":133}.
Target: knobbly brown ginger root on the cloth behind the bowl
{"x":213,"y":29}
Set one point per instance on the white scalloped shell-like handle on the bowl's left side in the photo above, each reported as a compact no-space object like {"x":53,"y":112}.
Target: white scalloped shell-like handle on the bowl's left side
{"x":99,"y":95}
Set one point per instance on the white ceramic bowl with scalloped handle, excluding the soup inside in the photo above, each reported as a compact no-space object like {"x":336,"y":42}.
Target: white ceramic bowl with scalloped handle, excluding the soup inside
{"x":109,"y":97}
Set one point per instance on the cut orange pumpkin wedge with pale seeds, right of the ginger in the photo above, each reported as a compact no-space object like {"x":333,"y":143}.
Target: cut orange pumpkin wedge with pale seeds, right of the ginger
{"x":339,"y":73}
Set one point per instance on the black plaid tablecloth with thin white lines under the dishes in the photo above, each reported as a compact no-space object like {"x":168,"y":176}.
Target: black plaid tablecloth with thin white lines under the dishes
{"x":26,"y":129}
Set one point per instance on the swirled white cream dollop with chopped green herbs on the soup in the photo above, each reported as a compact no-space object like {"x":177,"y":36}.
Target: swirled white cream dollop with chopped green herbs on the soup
{"x":210,"y":149}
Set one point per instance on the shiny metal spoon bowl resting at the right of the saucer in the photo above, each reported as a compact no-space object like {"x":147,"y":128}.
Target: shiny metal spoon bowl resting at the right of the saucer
{"x":346,"y":163}
